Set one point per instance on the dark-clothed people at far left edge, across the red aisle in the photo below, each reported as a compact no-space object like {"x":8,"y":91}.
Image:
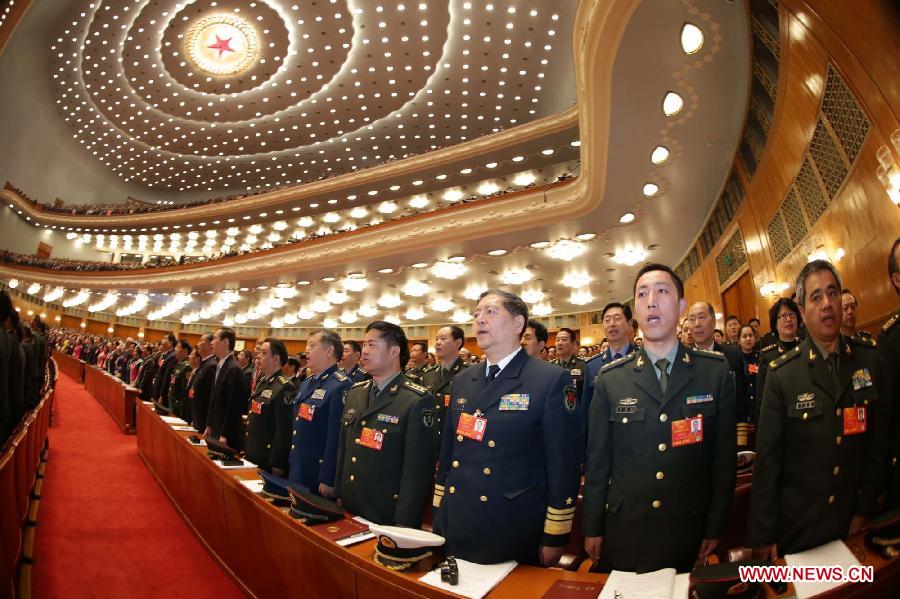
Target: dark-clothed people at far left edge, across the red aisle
{"x":24,"y":366}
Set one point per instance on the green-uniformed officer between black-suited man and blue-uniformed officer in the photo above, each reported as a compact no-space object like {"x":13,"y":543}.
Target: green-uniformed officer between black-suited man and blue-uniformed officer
{"x":269,"y":423}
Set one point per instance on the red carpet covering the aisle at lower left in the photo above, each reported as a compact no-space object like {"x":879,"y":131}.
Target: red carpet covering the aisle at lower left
{"x":105,"y":528}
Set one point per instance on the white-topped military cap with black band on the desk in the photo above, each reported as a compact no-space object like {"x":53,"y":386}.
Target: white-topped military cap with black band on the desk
{"x":412,"y":549}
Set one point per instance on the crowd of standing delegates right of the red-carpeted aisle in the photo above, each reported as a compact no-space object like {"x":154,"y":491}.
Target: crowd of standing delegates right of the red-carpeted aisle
{"x":653,"y":424}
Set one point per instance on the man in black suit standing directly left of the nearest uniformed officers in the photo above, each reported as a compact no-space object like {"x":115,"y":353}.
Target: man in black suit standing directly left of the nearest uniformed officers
{"x":230,"y":393}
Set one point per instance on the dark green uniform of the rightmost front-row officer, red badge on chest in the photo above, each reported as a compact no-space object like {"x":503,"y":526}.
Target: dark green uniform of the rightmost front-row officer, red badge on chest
{"x":820,"y":446}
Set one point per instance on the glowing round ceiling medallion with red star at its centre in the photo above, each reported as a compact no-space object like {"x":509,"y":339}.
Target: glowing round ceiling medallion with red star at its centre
{"x":222,"y":45}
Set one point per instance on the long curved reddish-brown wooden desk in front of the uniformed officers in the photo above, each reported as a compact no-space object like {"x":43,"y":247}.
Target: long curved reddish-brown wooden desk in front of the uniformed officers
{"x":270,"y":554}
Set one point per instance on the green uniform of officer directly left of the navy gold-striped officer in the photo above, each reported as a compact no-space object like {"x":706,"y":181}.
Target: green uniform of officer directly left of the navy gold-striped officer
{"x":387,"y":451}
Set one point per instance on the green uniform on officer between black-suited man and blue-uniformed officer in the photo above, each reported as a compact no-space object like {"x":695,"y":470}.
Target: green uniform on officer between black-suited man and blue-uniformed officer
{"x":269,"y":425}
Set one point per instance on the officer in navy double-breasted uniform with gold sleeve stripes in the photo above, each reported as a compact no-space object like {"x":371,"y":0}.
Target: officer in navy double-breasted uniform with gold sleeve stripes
{"x":508,"y":475}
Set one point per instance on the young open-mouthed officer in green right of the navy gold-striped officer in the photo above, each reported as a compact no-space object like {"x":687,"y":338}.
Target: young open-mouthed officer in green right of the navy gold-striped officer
{"x":661,"y":445}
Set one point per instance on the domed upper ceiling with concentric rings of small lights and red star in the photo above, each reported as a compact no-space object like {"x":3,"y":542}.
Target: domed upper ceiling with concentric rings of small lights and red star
{"x":228,"y":94}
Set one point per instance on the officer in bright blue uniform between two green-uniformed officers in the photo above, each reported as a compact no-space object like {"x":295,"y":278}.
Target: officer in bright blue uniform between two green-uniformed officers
{"x":317,"y":415}
